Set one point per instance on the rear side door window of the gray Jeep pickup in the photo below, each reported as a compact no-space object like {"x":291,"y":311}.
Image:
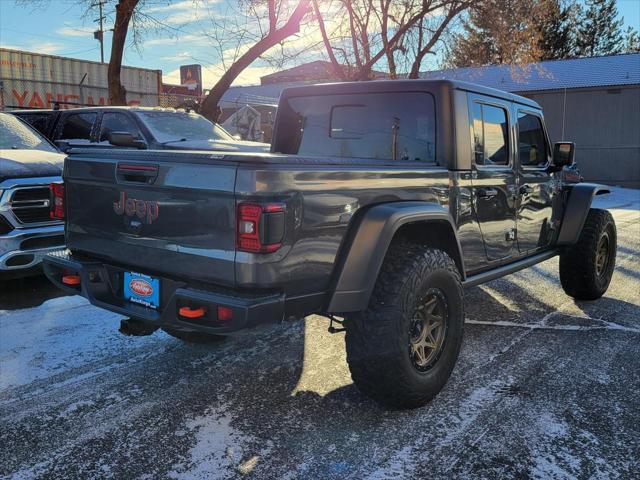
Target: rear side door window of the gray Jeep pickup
{"x":490,"y":135}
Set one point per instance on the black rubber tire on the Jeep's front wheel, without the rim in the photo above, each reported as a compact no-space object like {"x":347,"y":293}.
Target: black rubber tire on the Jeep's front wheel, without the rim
{"x":579,"y":273}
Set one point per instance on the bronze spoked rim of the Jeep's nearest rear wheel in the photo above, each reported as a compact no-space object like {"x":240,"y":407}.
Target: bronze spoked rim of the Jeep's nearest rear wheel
{"x":427,"y":330}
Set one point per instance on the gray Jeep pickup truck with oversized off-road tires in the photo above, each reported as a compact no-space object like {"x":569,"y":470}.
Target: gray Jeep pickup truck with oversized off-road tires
{"x":378,"y":203}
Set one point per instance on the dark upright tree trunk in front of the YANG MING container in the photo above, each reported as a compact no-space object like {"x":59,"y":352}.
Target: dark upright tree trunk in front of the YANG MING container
{"x":124,"y":12}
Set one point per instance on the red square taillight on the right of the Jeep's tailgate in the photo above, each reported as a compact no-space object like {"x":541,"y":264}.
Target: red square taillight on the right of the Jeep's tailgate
{"x":260,"y":227}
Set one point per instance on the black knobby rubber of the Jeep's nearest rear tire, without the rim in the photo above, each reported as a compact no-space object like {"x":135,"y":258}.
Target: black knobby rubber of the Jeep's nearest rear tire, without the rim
{"x":377,"y":339}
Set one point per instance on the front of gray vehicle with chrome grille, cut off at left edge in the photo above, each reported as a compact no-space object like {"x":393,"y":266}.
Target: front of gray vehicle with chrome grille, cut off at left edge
{"x":29,"y":163}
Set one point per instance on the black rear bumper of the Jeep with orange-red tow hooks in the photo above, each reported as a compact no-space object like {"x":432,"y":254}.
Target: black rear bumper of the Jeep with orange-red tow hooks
{"x":102,"y":285}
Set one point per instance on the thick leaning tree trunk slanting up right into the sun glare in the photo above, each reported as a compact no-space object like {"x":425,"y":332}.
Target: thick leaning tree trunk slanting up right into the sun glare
{"x":210,"y":104}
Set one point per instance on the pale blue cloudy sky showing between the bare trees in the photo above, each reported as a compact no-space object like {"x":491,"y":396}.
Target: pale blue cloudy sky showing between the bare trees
{"x":179,"y":35}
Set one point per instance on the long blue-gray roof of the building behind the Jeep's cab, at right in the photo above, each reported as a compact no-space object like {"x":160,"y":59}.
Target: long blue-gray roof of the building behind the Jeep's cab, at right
{"x":613,"y":70}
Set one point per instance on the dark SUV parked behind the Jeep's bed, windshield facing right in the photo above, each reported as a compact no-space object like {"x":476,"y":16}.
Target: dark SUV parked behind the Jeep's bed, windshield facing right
{"x":134,"y":127}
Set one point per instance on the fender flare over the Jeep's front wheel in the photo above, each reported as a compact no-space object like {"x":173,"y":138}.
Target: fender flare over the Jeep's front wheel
{"x":577,"y":209}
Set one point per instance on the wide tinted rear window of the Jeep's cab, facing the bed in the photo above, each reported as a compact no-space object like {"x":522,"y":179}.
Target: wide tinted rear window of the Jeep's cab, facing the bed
{"x":360,"y":126}
